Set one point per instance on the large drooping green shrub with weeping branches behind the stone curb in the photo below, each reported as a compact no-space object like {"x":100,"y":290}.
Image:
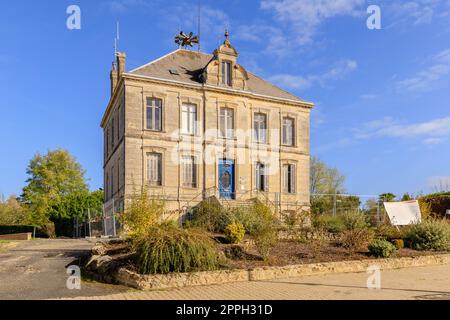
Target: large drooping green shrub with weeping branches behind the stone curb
{"x":168,"y":248}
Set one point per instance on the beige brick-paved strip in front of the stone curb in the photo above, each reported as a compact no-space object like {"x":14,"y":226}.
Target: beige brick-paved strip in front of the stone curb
{"x":427,"y":283}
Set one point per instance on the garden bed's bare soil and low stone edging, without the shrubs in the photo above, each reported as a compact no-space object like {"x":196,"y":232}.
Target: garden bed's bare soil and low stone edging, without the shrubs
{"x":118,"y":268}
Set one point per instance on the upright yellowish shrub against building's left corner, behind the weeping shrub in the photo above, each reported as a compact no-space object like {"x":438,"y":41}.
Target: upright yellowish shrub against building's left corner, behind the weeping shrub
{"x":143,"y":212}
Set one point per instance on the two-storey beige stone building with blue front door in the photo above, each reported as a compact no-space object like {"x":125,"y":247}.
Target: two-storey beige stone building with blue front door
{"x":191,"y":126}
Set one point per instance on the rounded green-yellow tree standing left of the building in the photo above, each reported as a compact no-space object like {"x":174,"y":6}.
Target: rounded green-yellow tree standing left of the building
{"x":52,"y":178}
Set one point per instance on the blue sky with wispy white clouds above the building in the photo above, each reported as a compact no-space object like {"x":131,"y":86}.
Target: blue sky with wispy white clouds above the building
{"x":382,"y":96}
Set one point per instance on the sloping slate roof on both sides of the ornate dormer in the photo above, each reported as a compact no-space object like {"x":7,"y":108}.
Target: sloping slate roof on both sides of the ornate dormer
{"x":189,"y":65}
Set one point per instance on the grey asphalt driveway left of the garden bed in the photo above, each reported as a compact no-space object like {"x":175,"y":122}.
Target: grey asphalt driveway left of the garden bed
{"x":37,"y":270}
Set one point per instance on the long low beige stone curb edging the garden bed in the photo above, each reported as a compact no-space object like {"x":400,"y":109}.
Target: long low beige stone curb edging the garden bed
{"x":180,"y":280}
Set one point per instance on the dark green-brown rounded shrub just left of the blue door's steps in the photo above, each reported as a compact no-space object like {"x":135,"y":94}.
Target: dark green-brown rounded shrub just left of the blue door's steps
{"x":210,"y":215}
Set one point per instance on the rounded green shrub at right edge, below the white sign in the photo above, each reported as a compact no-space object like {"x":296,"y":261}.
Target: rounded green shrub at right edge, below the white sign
{"x":429,"y":235}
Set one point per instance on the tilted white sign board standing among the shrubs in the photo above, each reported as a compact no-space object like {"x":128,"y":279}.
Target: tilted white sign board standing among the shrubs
{"x":403,"y":213}
